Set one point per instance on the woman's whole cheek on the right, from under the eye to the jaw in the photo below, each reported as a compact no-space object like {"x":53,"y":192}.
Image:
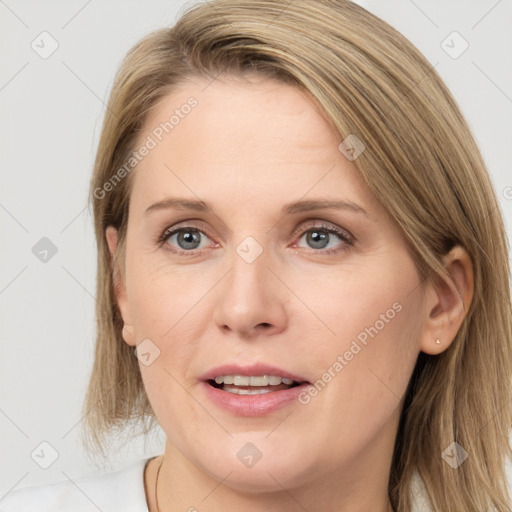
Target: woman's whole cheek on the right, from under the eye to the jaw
{"x":362,"y":373}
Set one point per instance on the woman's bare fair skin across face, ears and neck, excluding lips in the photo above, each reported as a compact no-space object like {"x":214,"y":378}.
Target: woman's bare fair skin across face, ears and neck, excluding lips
{"x":248,"y":148}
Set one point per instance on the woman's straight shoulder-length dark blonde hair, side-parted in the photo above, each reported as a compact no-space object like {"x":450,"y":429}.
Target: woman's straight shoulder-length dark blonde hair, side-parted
{"x":422,"y":164}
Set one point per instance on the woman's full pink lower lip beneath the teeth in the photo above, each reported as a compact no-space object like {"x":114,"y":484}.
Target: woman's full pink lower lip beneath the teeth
{"x":252,"y":405}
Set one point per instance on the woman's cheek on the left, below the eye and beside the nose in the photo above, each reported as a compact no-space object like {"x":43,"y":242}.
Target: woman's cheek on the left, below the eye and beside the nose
{"x":167,"y":308}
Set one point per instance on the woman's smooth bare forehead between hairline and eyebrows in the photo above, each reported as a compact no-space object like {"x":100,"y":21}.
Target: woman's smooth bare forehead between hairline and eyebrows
{"x":241,"y":141}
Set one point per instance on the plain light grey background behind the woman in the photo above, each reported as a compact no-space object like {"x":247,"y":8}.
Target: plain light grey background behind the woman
{"x":52,"y":111}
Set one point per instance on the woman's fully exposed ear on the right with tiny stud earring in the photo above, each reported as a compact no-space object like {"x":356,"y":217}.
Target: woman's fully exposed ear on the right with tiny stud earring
{"x":447,"y":302}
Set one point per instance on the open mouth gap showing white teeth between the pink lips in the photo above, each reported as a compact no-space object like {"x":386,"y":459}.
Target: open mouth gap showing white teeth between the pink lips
{"x":253,"y":384}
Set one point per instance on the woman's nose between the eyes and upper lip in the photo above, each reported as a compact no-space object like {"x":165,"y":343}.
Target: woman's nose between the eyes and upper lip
{"x":251,"y":300}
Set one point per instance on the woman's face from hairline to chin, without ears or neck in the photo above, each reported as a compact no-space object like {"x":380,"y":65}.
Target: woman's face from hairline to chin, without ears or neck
{"x":260,"y":283}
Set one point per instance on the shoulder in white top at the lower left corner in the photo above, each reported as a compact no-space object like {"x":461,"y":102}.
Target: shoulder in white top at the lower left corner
{"x":122,"y":490}
